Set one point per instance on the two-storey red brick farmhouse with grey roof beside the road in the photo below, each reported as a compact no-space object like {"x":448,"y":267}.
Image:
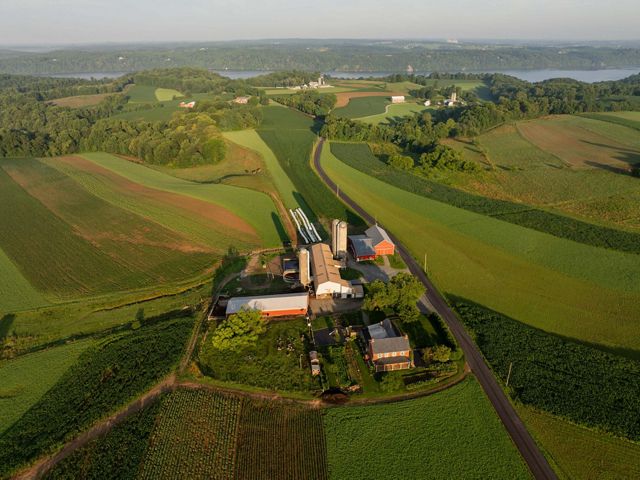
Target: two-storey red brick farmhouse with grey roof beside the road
{"x":388,"y":350}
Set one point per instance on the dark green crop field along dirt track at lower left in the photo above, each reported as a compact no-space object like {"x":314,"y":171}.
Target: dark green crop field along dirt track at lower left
{"x":107,"y":375}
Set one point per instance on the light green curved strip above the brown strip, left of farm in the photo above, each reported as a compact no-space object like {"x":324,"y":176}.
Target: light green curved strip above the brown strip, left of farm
{"x":251,"y":207}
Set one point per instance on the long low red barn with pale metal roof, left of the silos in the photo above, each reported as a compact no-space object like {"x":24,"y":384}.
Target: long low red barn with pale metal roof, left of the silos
{"x":284,"y":305}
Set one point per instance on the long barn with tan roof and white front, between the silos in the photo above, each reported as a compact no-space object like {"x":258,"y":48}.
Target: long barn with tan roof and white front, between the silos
{"x":327,"y":281}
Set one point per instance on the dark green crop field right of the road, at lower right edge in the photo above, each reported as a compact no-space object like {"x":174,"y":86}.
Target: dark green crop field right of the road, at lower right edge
{"x":583,"y":384}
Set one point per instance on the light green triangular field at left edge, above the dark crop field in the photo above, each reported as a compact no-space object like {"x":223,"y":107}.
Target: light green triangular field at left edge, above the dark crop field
{"x":26,"y":379}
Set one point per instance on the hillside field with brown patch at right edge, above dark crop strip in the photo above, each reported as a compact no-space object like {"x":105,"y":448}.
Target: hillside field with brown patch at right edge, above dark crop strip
{"x":522,"y":172}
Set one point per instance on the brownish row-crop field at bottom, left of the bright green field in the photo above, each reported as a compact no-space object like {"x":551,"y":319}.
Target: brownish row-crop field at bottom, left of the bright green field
{"x":206,"y":434}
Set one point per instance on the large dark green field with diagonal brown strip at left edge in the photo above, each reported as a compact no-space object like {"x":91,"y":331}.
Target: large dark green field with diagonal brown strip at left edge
{"x":130,"y":251}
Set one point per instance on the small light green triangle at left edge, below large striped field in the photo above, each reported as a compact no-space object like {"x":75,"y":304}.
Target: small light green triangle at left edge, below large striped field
{"x":16,"y":293}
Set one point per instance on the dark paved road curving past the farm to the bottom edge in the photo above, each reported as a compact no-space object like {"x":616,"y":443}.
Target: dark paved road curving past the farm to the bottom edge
{"x":528,"y":449}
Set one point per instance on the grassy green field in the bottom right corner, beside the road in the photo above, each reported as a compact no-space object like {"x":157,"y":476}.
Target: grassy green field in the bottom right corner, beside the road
{"x":576,"y":452}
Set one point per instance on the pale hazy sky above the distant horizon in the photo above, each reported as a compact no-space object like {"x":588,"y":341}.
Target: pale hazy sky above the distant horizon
{"x":91,"y":21}
